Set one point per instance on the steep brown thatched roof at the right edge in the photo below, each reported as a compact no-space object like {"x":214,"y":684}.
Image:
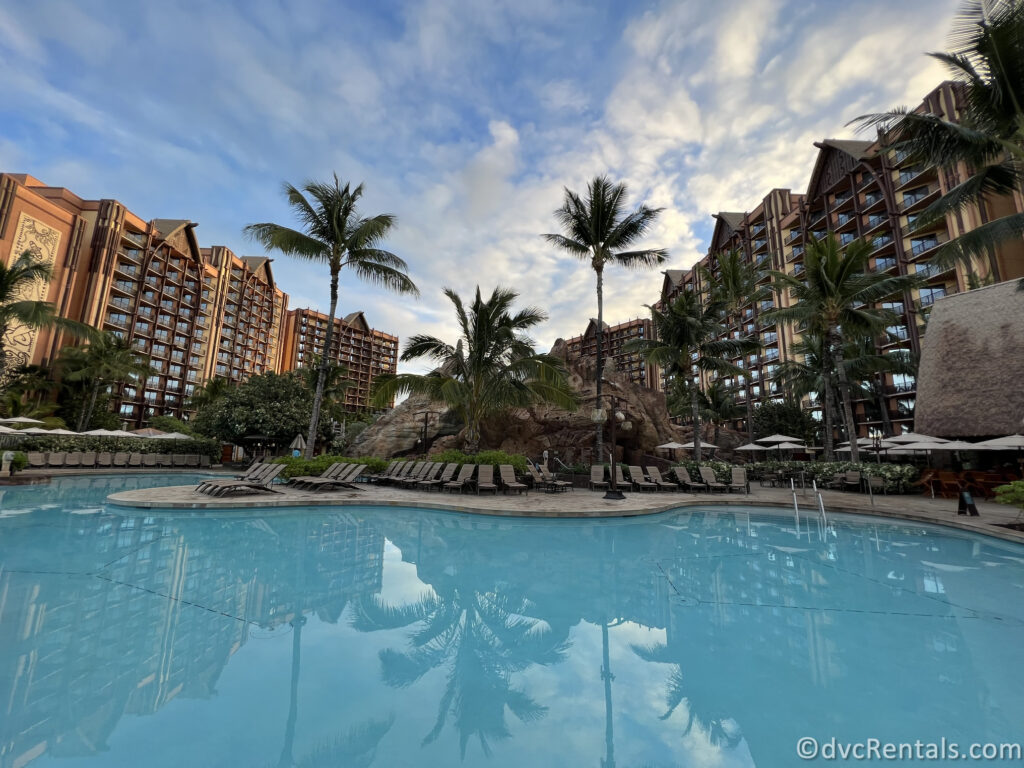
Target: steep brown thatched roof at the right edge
{"x":971,"y":379}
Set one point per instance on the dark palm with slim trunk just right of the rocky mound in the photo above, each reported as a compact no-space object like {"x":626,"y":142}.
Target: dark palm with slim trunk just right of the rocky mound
{"x":690,"y":343}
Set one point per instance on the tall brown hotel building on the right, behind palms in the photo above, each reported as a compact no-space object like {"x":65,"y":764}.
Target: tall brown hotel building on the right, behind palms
{"x":858,"y":190}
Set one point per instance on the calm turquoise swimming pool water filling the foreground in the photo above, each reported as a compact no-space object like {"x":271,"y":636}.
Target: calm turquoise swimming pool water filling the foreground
{"x":397,"y":637}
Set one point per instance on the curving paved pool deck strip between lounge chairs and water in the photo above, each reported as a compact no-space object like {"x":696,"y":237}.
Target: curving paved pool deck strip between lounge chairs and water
{"x":585,"y":504}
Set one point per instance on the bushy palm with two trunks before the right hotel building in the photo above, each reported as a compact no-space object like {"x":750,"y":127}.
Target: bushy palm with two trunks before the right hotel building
{"x":833,"y":302}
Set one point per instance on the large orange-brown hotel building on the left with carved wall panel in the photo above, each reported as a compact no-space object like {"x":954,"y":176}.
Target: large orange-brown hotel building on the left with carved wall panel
{"x":196,"y":313}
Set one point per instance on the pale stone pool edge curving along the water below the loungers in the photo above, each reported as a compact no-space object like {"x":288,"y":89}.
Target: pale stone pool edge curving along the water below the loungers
{"x":139,"y":500}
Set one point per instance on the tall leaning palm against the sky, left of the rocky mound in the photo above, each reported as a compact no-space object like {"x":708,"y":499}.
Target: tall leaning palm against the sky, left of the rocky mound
{"x":335,"y":234}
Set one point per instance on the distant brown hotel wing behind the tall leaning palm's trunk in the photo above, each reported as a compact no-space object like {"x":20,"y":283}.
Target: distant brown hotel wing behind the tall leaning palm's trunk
{"x":365,"y":352}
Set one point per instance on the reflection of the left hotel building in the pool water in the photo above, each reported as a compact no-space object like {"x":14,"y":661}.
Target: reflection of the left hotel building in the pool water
{"x":155,"y":615}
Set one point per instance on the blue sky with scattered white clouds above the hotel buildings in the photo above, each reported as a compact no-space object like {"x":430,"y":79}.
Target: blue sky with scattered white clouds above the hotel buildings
{"x":466,"y":119}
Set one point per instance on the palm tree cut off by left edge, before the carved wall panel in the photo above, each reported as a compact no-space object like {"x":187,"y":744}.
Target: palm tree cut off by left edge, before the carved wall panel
{"x":16,"y":281}
